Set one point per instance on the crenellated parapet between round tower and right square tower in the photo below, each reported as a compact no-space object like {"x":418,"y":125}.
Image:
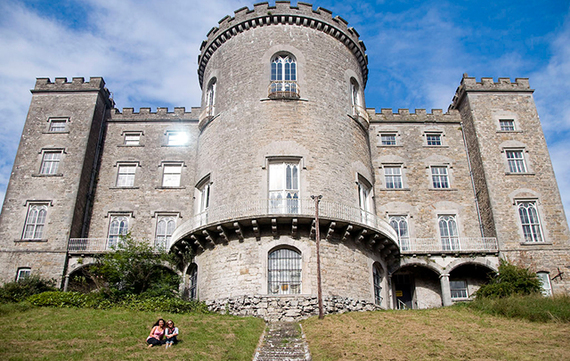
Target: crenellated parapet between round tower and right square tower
{"x":420,"y":115}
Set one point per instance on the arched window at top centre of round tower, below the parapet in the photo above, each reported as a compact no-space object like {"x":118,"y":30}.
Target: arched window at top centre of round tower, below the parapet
{"x":283,"y":77}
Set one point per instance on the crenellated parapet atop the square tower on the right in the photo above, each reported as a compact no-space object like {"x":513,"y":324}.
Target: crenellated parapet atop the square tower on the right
{"x":470,"y":84}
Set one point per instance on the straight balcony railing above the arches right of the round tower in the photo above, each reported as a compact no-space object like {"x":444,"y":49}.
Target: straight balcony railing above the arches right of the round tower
{"x":448,"y":245}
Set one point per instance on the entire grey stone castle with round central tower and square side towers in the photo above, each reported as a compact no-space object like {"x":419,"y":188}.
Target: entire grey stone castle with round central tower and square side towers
{"x":417,"y":208}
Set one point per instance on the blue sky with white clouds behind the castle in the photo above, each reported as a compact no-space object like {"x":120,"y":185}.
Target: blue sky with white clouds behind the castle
{"x":418,"y":50}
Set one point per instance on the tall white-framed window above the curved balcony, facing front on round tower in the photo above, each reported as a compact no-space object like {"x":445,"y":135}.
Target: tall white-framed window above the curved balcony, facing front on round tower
{"x":284,"y":187}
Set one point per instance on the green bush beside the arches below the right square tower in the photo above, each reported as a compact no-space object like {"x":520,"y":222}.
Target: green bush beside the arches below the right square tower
{"x":511,"y":280}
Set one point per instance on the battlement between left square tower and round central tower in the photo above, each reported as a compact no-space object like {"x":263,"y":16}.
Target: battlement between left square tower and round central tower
{"x":161,"y":114}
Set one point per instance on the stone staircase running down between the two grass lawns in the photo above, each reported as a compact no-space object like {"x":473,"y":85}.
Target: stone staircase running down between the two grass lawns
{"x":283,"y":341}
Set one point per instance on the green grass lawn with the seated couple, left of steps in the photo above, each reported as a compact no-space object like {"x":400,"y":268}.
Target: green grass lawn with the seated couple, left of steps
{"x":86,"y":334}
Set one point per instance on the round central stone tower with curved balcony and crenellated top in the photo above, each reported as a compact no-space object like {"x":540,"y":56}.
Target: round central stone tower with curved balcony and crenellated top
{"x":283,"y":118}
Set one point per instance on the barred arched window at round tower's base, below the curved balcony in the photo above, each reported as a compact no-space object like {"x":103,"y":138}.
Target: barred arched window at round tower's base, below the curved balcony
{"x":284,"y":271}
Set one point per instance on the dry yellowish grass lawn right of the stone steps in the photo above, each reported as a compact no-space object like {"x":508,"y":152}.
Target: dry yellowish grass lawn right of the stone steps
{"x":456,"y":333}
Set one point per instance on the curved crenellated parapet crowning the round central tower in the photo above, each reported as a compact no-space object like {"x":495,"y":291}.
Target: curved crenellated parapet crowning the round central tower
{"x":283,"y":12}
